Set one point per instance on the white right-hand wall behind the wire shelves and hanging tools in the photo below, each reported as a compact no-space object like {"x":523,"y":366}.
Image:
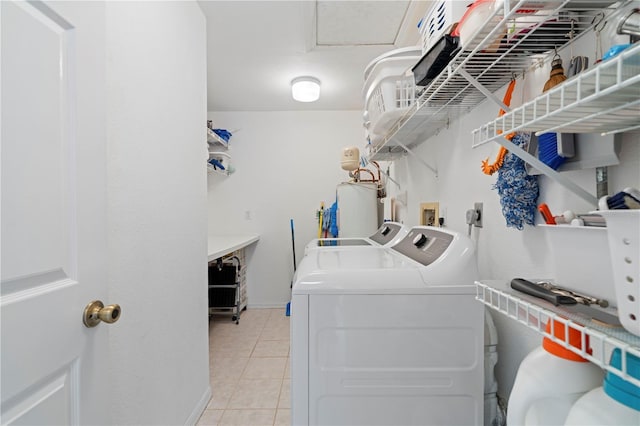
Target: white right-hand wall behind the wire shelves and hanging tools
{"x":505,"y":253}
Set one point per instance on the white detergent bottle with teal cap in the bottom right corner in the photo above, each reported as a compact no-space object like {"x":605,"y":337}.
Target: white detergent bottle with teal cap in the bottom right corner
{"x":616,"y":403}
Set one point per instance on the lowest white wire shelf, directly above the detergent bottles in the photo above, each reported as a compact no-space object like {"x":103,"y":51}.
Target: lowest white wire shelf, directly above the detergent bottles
{"x":597,"y":341}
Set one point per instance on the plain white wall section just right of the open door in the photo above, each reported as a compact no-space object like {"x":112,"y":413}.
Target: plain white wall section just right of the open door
{"x":156,"y":78}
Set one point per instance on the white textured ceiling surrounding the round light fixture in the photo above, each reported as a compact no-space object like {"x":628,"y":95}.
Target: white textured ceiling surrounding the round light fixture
{"x":255,"y":49}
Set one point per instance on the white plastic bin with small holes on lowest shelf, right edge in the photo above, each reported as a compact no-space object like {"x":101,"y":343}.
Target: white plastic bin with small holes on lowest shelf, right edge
{"x":623,"y":232}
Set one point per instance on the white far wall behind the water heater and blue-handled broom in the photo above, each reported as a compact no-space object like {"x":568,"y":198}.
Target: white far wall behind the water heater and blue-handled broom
{"x":287,"y":164}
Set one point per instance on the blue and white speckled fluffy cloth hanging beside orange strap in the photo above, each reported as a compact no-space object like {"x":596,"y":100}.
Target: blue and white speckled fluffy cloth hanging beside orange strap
{"x":517,"y":189}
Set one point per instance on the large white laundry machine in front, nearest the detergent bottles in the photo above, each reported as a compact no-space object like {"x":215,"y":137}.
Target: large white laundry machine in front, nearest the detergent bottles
{"x":389,"y":336}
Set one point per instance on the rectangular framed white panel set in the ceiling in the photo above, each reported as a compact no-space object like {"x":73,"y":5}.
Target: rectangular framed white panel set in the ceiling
{"x":359,"y":23}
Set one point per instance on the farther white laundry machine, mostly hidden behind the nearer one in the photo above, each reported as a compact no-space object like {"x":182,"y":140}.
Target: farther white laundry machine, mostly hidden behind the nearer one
{"x":387,"y":235}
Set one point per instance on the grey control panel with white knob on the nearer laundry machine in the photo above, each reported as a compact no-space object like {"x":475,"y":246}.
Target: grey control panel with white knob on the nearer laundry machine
{"x":424,"y":244}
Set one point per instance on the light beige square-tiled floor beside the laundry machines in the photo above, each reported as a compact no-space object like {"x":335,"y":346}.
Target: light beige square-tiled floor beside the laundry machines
{"x":249,"y":367}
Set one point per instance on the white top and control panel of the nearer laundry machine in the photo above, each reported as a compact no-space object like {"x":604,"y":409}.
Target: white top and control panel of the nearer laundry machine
{"x":426,"y":260}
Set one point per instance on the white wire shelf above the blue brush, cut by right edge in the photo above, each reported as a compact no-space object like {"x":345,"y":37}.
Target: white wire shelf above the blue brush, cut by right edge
{"x":604,"y":99}
